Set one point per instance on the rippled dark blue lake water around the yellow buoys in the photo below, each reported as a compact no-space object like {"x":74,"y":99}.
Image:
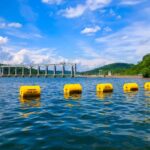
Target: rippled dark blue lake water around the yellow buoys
{"x":117,"y":121}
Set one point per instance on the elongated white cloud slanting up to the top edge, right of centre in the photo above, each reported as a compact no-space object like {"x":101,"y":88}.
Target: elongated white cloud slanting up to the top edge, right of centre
{"x":80,"y":9}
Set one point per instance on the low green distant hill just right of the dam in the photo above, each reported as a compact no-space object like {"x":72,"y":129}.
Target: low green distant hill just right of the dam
{"x":115,"y":68}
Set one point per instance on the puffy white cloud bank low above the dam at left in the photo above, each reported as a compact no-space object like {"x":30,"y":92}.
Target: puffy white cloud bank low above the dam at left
{"x":28,"y":56}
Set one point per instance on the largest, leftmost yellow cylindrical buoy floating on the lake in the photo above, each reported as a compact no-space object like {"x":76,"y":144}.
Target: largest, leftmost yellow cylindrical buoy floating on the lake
{"x":30,"y":91}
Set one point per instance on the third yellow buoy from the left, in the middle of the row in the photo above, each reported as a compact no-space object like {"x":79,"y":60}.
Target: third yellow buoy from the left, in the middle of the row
{"x":105,"y":87}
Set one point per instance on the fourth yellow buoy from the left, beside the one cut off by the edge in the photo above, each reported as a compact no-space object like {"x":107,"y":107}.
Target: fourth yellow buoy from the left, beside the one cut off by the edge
{"x":129,"y":87}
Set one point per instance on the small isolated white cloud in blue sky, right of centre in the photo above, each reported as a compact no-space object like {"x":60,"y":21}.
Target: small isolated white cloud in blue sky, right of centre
{"x":90,"y":30}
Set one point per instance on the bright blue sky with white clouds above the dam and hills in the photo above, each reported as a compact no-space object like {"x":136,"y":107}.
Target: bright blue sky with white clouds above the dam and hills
{"x":91,"y":33}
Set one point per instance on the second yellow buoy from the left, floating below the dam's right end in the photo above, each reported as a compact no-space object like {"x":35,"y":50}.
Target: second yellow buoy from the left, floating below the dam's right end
{"x":72,"y":88}
